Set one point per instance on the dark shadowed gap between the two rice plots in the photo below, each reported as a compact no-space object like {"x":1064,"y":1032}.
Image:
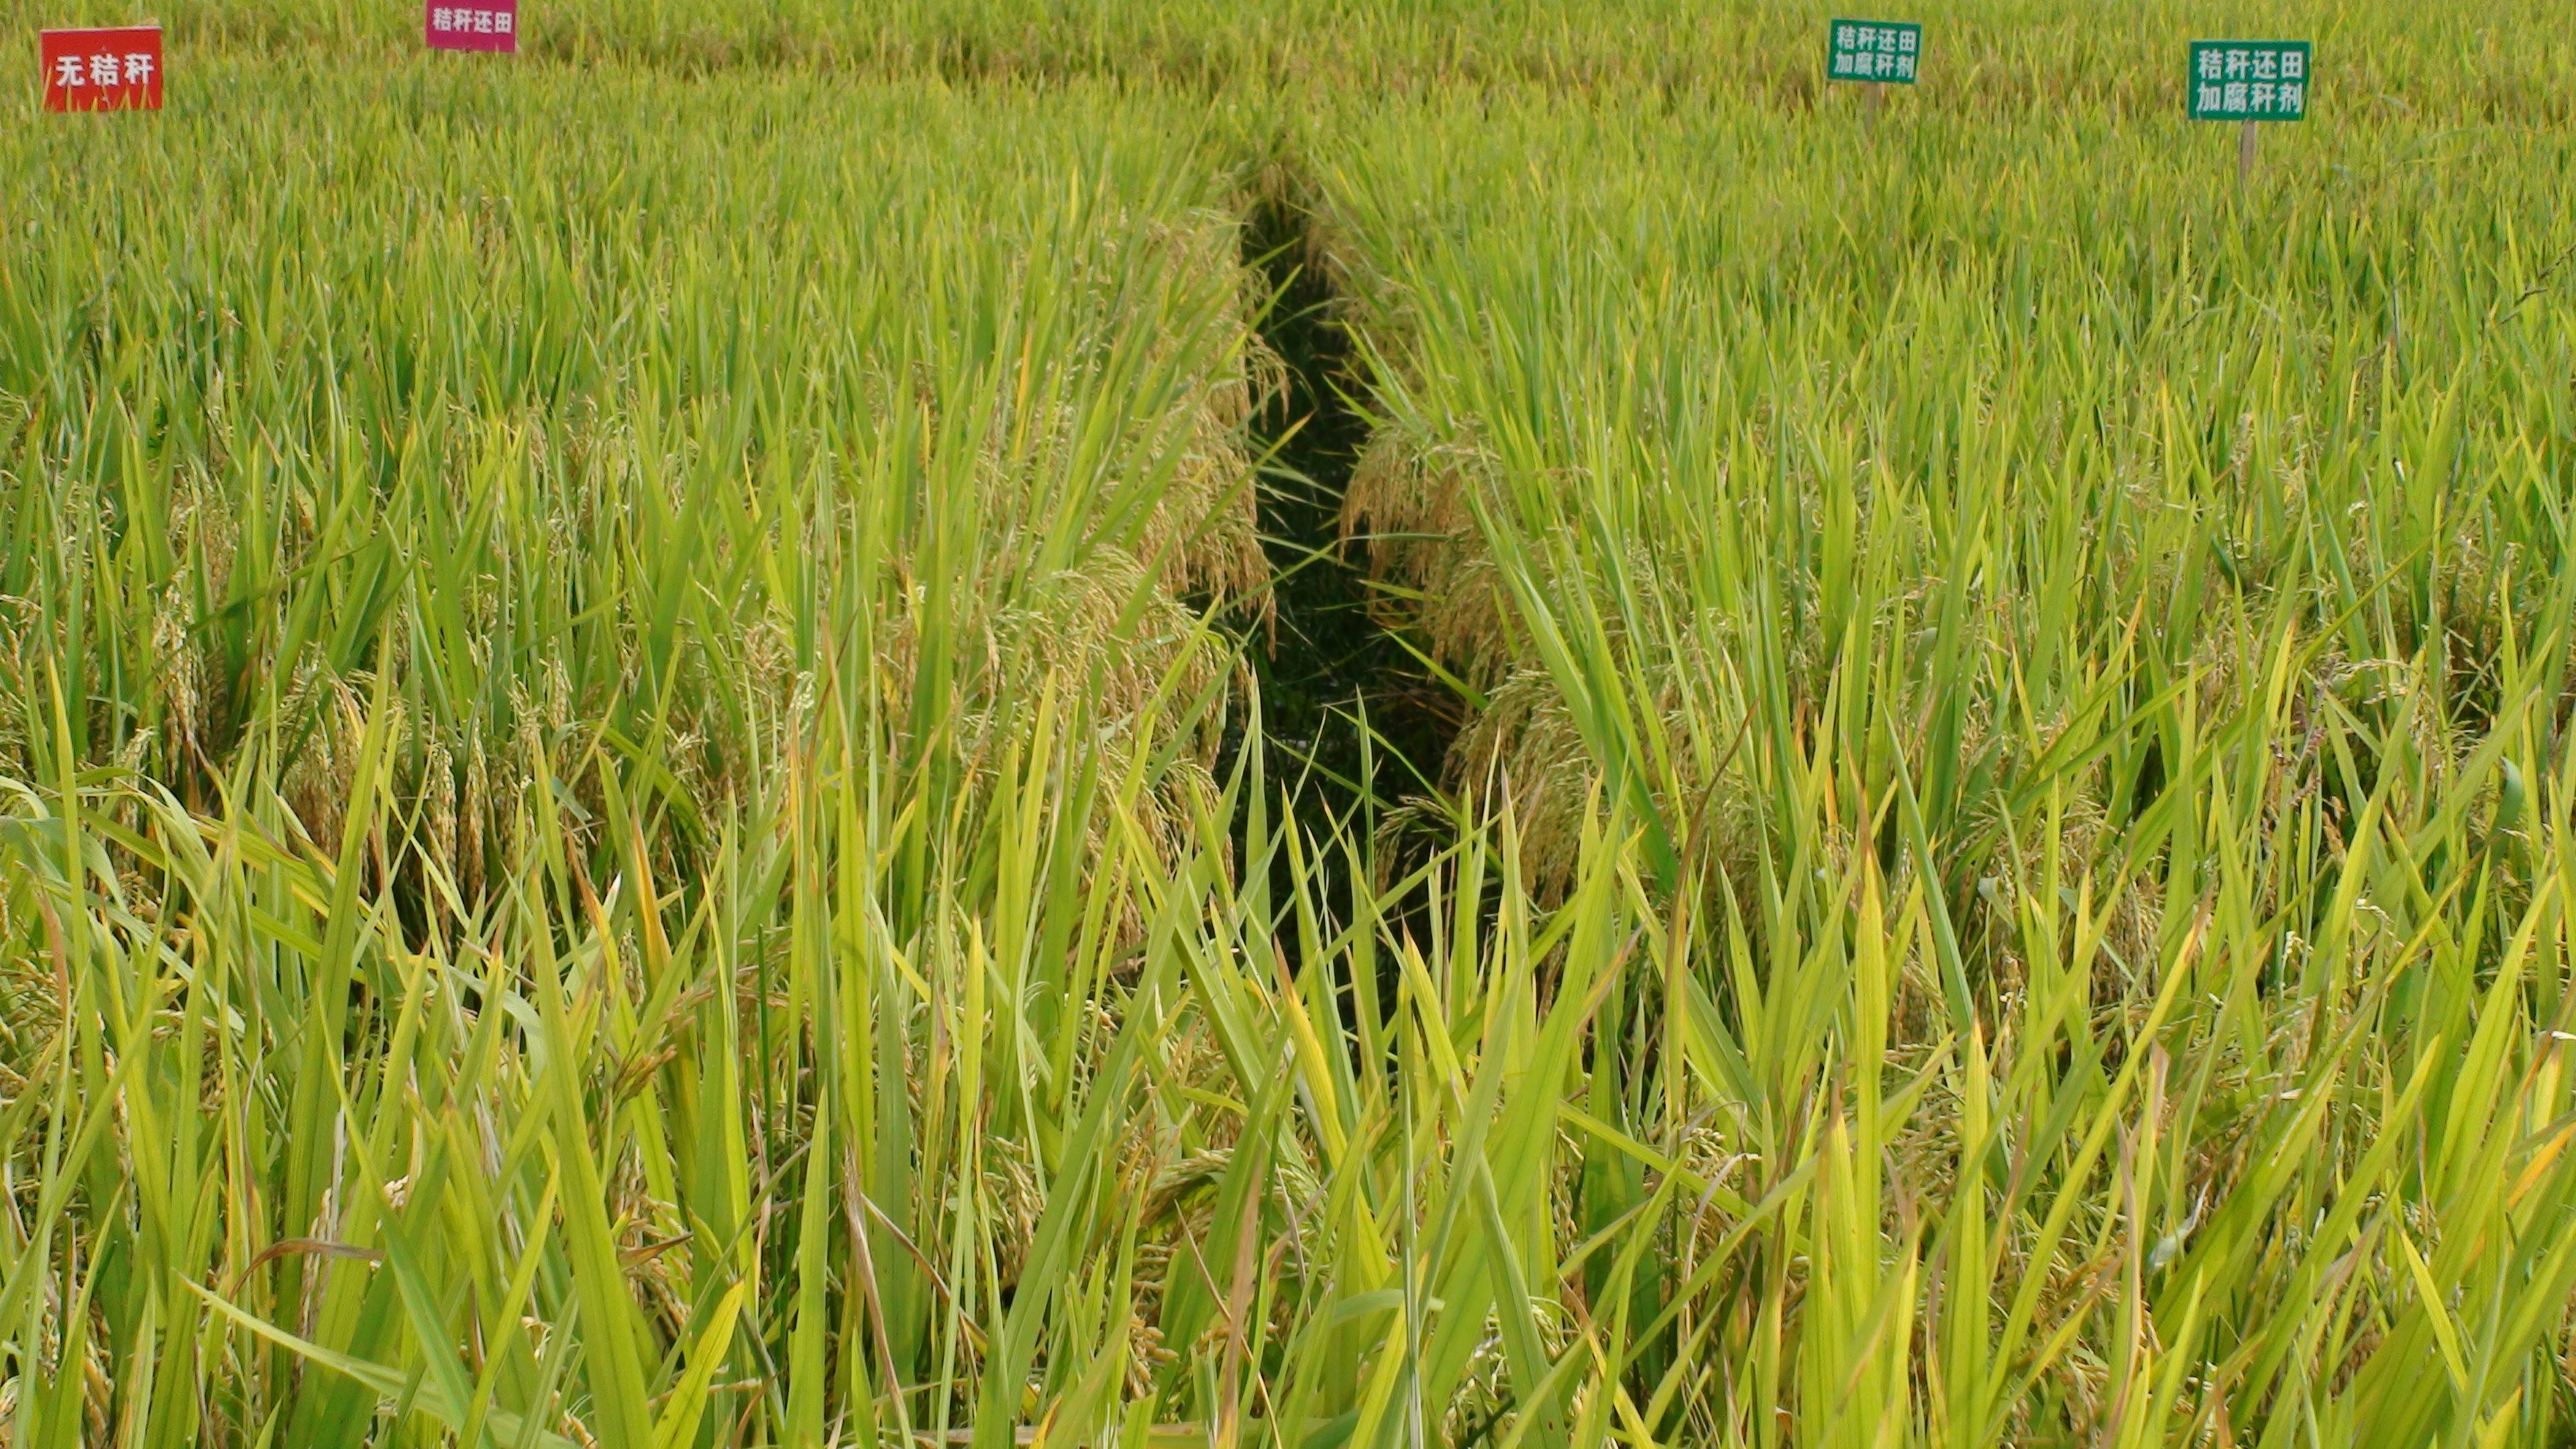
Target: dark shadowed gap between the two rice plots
{"x":1331,"y":661}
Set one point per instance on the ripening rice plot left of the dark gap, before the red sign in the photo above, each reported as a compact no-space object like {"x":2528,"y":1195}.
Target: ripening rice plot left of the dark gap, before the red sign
{"x":403,"y":507}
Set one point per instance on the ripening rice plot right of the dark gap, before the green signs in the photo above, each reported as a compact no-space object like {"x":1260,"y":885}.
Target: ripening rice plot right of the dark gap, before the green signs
{"x":2139,"y":610}
